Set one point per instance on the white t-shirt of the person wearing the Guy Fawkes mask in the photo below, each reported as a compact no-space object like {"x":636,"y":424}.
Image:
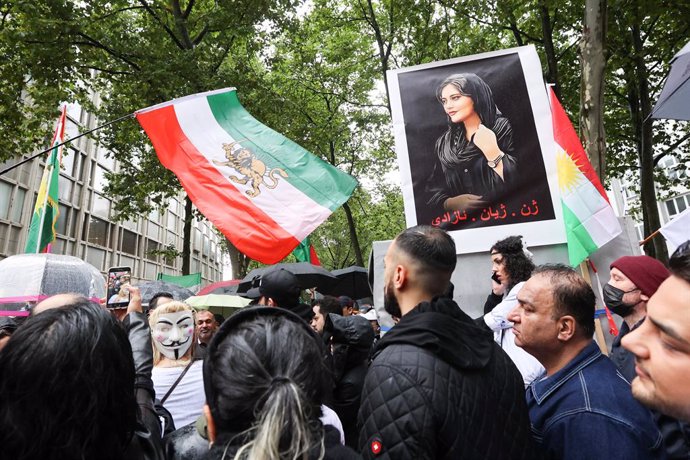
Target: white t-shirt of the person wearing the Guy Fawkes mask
{"x":187,"y":400}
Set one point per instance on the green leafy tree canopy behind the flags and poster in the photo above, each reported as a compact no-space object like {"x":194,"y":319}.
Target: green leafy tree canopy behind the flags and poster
{"x":316,"y":71}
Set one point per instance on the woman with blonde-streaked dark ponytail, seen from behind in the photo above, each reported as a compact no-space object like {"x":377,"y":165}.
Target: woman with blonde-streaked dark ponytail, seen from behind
{"x":263,"y":381}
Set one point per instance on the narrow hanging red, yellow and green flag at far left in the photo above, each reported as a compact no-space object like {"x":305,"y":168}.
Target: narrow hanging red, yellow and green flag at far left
{"x":42,"y":227}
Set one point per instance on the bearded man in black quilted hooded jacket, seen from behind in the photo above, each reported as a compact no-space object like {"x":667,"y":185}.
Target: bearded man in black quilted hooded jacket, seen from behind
{"x":439,"y":387}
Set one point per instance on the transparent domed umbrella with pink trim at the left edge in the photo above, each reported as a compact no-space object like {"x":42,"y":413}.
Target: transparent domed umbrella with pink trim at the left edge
{"x":29,"y":278}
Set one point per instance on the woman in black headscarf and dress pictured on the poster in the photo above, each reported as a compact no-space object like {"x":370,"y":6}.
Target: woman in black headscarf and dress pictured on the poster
{"x":476,"y":157}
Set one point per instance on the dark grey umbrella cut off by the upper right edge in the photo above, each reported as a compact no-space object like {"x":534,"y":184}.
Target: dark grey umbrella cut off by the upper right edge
{"x":674,"y":98}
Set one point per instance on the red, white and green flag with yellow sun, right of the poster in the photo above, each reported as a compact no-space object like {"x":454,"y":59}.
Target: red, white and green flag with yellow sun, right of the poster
{"x":589,"y":219}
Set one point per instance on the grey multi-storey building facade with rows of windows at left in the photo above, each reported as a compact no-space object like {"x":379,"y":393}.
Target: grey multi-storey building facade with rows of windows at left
{"x":85,"y":227}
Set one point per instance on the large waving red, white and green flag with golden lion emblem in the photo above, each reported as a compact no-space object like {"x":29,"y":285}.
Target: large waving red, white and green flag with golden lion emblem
{"x":263,"y":191}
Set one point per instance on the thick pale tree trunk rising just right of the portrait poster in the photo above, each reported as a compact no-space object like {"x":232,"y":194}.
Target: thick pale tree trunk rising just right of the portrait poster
{"x":593,"y":64}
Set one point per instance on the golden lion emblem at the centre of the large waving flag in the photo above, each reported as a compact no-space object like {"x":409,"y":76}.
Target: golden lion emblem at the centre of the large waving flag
{"x":253,"y":170}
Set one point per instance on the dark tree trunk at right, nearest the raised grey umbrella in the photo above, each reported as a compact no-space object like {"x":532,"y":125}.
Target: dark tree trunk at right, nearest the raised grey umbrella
{"x":650,"y":213}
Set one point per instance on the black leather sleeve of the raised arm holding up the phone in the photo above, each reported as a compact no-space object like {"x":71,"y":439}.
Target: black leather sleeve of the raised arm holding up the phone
{"x":146,"y":440}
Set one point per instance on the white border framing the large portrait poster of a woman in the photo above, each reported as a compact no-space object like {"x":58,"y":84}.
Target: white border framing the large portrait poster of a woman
{"x":471,"y":240}
